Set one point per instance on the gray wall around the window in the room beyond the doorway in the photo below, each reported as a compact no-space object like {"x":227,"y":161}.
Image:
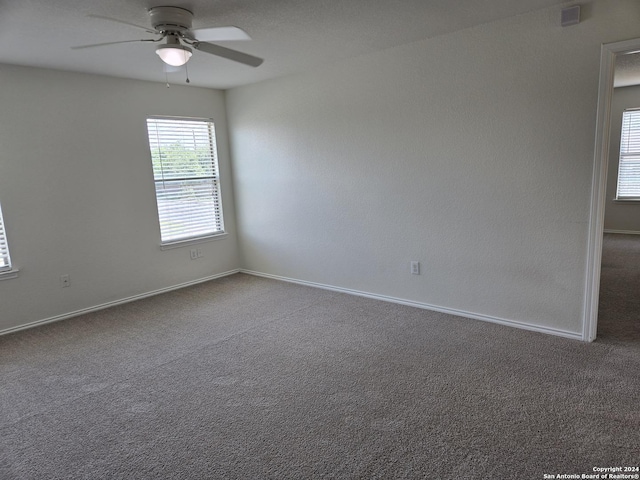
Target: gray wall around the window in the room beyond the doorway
{"x":621,"y":216}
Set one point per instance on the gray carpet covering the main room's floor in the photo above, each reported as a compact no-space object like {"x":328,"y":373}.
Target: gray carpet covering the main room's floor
{"x":250,"y":378}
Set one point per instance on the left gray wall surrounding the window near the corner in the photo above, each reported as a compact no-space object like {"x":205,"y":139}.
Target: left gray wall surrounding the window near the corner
{"x":77,"y":191}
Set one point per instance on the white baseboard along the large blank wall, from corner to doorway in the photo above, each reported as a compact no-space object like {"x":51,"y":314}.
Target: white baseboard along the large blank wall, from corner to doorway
{"x":426,"y":306}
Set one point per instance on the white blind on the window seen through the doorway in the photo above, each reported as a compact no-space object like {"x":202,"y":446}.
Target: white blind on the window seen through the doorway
{"x":629,"y":166}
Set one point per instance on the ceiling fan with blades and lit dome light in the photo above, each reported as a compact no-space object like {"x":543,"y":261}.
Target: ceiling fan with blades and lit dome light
{"x":173,"y":24}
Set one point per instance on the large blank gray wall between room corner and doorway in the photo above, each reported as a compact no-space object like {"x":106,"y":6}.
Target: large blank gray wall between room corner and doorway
{"x":470,"y":152}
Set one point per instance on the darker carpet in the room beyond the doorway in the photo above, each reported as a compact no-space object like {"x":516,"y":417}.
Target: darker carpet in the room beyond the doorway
{"x":619,"y":308}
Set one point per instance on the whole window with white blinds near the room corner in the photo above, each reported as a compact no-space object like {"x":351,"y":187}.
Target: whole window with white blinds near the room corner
{"x":185,"y":170}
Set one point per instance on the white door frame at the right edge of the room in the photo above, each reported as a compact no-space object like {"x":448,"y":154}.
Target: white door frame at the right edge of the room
{"x":608,"y":54}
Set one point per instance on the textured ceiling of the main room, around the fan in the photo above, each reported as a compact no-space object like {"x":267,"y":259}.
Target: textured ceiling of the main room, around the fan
{"x":291,"y":35}
